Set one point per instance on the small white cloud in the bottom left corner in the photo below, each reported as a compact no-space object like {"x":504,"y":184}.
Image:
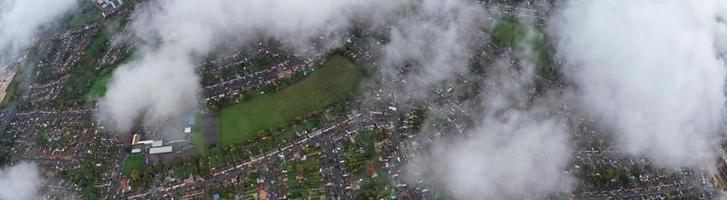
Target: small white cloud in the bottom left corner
{"x":21,"y":181}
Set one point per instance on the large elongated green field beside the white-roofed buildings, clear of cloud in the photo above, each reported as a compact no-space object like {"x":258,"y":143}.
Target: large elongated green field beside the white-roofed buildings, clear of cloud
{"x":335,"y":80}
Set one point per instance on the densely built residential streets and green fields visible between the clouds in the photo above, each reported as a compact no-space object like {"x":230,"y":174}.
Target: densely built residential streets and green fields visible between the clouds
{"x":279,"y":124}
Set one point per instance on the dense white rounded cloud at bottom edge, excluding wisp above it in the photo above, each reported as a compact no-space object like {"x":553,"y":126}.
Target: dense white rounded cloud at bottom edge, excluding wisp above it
{"x":515,"y":155}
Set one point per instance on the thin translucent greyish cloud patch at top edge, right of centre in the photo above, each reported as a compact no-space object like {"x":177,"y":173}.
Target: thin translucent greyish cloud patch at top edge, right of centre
{"x":435,"y":40}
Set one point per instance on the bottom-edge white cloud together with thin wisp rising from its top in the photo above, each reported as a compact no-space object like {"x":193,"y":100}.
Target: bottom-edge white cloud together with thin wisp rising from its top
{"x":518,"y":150}
